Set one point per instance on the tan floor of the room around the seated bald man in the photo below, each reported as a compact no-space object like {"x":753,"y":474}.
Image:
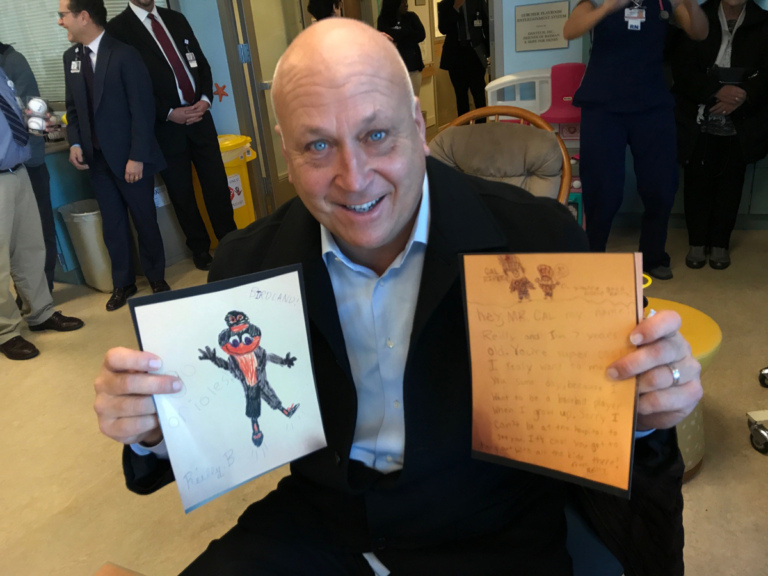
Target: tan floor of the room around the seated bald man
{"x":65,"y":510}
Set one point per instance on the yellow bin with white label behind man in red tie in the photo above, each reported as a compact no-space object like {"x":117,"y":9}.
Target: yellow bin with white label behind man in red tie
{"x":236,"y":152}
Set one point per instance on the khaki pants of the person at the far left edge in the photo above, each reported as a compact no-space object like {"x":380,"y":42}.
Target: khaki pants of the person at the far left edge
{"x":22,"y":256}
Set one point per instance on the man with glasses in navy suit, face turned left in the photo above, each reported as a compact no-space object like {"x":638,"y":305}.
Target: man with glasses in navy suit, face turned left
{"x":110,"y":130}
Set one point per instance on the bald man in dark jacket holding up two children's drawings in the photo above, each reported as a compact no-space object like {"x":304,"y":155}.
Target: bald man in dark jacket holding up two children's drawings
{"x":378,"y":228}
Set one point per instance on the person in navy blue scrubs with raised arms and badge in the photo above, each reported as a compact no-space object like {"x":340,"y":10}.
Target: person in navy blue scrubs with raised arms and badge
{"x":624,"y":101}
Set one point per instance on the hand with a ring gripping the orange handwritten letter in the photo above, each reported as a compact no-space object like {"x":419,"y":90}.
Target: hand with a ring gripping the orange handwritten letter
{"x":661,"y":349}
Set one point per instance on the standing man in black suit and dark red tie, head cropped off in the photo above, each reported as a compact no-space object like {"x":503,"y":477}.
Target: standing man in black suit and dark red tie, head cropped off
{"x":183,"y":87}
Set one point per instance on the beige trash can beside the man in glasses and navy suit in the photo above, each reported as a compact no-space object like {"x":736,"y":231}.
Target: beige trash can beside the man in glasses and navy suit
{"x":84,"y":225}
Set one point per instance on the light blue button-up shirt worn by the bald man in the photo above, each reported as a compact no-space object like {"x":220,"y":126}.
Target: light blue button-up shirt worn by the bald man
{"x":376,"y":315}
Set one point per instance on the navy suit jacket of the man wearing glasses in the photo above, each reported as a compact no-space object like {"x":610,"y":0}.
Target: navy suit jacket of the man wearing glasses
{"x":124,"y":112}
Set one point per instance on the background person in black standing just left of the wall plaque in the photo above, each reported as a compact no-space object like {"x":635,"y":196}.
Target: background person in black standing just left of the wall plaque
{"x":466,"y":48}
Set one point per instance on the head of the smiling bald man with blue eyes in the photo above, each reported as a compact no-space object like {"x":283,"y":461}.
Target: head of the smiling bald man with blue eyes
{"x":354,"y":141}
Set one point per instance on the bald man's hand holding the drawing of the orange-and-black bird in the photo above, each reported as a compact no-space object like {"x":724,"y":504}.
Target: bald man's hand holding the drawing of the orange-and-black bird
{"x":124,"y":391}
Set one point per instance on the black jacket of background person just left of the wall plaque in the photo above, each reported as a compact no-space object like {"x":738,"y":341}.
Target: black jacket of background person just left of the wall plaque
{"x":448,"y":24}
